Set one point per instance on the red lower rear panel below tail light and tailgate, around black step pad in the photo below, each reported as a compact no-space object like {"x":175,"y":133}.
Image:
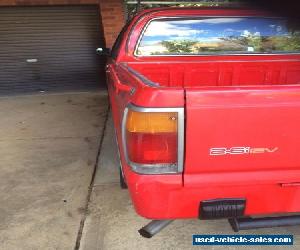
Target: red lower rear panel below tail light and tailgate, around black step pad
{"x":166,"y":197}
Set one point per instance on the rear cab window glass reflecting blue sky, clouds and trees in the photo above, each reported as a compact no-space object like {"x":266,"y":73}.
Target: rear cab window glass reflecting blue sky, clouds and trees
{"x":220,"y":35}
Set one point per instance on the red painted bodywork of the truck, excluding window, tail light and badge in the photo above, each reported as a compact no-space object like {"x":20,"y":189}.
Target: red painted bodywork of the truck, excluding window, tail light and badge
{"x":230,"y":101}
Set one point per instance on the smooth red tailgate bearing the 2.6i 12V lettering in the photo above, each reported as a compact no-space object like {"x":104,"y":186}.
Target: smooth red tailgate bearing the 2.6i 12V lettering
{"x":236,"y":135}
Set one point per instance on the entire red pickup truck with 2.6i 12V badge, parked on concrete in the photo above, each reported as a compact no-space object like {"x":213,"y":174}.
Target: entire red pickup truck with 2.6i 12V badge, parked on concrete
{"x":206,"y":108}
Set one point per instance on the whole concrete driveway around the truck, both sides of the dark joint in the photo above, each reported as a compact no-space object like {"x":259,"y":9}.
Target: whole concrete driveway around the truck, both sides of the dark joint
{"x":48,"y":197}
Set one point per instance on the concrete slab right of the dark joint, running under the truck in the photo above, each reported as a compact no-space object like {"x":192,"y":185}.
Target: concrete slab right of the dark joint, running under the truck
{"x":112,"y":223}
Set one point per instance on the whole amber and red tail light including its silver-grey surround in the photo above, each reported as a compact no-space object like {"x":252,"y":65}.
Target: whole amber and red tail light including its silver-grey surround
{"x":153,"y":139}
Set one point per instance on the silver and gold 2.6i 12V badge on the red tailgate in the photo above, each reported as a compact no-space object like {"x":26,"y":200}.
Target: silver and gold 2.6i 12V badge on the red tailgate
{"x":241,"y":150}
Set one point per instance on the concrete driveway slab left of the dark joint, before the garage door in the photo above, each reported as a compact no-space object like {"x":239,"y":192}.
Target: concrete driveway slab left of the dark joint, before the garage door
{"x":48,"y":149}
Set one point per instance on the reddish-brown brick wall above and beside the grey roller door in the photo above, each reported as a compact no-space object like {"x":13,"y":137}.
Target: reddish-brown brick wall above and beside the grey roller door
{"x":112,"y":13}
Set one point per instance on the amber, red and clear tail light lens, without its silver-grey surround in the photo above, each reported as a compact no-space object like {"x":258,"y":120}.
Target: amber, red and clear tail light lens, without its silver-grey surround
{"x":152,"y":139}
